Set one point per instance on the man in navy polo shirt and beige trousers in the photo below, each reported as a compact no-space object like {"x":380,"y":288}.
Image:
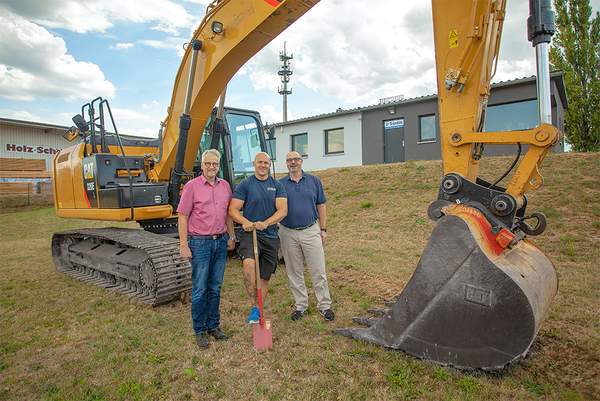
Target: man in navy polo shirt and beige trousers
{"x":302,"y":234}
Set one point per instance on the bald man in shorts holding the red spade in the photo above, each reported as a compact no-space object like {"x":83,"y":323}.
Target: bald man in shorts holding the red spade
{"x":263,"y":202}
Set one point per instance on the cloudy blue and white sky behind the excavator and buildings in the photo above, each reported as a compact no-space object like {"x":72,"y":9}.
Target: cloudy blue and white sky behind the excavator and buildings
{"x":56,"y":55}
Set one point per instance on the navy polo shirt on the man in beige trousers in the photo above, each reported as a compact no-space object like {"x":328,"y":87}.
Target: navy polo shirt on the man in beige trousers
{"x":303,"y":198}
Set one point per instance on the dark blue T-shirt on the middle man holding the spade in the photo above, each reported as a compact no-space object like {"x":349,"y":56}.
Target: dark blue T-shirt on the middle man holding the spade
{"x":259,"y":200}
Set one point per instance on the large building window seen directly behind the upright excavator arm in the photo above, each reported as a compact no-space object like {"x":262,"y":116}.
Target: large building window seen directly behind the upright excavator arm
{"x":511,"y":116}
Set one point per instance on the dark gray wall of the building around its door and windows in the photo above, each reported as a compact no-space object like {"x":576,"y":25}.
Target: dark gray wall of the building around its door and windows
{"x":502,"y":93}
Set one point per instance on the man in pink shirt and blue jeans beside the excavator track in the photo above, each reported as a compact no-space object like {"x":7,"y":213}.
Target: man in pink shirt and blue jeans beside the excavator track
{"x":205,"y":235}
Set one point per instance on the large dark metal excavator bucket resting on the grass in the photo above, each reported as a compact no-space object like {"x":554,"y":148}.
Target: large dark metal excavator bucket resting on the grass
{"x":470,"y":303}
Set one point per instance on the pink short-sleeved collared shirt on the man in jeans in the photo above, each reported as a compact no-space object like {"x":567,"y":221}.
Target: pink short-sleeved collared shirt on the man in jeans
{"x":205,"y":205}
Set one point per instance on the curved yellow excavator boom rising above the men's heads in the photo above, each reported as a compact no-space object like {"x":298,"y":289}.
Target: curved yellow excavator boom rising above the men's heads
{"x":229,"y":35}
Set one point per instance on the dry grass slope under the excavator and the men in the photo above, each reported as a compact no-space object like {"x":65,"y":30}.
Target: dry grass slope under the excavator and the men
{"x":65,"y":340}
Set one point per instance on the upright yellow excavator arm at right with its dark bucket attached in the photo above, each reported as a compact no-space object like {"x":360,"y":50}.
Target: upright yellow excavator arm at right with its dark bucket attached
{"x":481,"y":289}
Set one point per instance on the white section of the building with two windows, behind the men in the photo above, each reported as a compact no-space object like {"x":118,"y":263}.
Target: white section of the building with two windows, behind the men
{"x":332,"y":140}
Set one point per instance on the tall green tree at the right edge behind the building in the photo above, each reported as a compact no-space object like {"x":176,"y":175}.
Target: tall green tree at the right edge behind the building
{"x":576,"y":51}
